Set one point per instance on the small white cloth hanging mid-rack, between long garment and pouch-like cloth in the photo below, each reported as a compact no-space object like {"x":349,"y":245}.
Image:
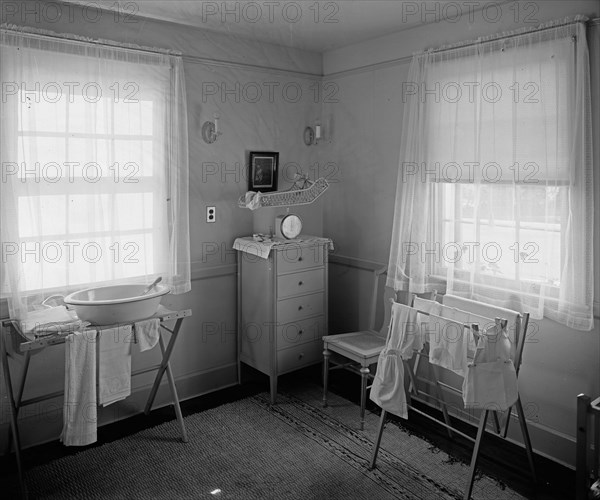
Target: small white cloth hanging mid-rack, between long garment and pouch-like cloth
{"x":447,"y":344}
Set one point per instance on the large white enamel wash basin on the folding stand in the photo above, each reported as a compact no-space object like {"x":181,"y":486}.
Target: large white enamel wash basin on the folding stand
{"x":109,"y":305}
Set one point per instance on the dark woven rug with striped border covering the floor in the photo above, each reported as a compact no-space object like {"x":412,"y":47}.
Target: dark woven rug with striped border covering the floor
{"x":250,"y":450}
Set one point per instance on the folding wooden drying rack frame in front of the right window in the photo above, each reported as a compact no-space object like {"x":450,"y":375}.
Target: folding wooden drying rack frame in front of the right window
{"x":519,"y":342}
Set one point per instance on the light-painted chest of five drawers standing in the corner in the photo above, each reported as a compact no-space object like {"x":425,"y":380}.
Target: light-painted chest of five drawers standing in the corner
{"x":282,"y":308}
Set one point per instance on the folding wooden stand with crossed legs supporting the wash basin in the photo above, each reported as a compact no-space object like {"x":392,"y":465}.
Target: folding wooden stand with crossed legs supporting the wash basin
{"x":25,"y":344}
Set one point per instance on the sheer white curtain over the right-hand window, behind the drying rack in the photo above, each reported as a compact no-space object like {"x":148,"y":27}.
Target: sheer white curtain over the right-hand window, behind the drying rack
{"x":494,"y":199}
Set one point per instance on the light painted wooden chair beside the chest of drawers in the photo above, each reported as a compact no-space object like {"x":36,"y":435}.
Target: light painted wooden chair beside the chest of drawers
{"x":357,"y":351}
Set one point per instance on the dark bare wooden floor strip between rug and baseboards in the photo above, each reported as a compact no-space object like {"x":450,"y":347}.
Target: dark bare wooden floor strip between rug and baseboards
{"x":499,"y":458}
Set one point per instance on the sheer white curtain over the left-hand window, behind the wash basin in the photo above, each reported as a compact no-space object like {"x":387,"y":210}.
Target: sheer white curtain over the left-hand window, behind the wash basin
{"x":94,"y":167}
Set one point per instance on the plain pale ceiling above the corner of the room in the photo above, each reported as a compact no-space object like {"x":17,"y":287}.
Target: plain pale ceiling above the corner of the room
{"x":306,"y":24}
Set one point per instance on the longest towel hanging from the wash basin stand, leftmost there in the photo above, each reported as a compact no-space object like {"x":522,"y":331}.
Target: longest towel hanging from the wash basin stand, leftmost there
{"x":79,"y":409}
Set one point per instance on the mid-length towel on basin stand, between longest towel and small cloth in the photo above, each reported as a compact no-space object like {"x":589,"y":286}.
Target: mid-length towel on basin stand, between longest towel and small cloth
{"x":114,"y":370}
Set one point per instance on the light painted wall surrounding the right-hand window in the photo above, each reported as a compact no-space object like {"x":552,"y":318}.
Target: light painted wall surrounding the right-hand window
{"x":559,"y":363}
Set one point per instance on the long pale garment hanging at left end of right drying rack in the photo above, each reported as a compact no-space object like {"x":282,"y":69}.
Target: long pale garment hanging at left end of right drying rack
{"x":387,"y":390}
